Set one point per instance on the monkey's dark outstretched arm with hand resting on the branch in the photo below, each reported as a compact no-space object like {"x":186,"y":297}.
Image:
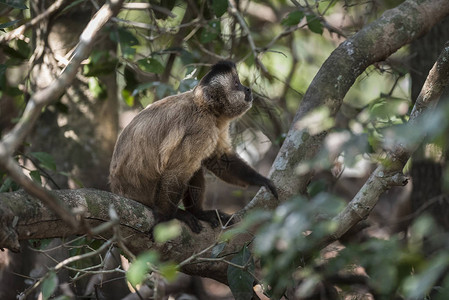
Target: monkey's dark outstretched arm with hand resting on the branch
{"x":232,"y":169}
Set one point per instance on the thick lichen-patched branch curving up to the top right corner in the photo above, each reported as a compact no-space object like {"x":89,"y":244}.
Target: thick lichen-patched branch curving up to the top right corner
{"x":394,"y":29}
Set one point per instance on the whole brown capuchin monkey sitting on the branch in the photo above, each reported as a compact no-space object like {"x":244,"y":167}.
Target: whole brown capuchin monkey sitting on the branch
{"x":161,"y":156}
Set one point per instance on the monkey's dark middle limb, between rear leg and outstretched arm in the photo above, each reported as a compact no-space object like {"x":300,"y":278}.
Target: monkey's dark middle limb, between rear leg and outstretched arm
{"x":194,"y":198}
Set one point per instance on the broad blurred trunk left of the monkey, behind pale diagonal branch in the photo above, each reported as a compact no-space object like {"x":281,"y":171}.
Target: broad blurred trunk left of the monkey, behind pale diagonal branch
{"x":81,"y":140}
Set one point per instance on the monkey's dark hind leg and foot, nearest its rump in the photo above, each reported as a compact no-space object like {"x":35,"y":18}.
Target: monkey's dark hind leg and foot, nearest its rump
{"x":168,"y":196}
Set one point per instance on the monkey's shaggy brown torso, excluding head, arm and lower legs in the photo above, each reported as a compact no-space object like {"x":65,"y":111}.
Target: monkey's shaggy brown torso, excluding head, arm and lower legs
{"x":167,"y":140}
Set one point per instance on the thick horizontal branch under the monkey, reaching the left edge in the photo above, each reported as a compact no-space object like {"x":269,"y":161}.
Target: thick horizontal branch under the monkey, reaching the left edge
{"x":23,"y":217}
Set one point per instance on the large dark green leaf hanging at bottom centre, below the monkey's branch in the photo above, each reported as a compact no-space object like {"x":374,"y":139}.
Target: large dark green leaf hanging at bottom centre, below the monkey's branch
{"x":240,"y":280}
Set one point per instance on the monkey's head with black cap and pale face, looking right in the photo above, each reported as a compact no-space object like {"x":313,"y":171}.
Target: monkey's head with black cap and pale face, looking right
{"x":222,"y":93}
